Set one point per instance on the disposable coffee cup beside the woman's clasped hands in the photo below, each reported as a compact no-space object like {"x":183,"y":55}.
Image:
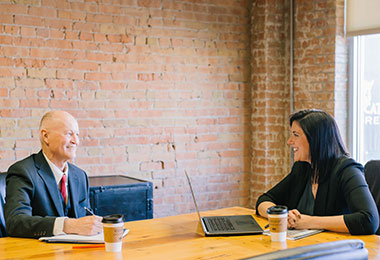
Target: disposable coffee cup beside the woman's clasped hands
{"x":278,"y":222}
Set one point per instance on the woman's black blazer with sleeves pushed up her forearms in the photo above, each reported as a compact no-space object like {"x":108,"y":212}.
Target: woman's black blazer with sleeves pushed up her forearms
{"x":343,"y":192}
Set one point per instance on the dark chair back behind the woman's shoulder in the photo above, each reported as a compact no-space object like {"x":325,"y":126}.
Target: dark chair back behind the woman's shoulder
{"x":372,"y":176}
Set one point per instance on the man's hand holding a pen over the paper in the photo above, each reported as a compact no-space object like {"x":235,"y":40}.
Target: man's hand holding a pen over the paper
{"x":90,"y":225}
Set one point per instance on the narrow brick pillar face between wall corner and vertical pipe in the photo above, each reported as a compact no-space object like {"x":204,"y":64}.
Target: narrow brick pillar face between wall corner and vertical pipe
{"x":270,"y":94}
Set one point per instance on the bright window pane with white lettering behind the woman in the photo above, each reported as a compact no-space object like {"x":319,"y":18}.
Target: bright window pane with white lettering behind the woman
{"x":365,"y":98}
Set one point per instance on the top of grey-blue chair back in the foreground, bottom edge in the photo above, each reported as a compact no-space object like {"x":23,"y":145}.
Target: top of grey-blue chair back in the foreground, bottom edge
{"x":344,"y":249}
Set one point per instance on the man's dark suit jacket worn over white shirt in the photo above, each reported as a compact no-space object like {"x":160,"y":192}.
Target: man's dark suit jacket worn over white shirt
{"x":33,"y":200}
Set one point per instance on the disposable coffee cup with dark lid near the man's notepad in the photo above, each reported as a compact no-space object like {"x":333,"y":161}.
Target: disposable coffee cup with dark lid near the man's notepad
{"x":113,"y":226}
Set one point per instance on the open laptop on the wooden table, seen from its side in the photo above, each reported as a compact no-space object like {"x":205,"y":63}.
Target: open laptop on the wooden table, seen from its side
{"x":226,"y":225}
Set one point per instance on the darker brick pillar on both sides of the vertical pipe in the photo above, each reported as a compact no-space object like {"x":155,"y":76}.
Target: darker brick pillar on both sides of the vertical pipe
{"x":320,"y":77}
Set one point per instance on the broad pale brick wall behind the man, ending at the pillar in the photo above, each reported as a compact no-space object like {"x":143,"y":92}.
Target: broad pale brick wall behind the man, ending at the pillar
{"x":157,"y":87}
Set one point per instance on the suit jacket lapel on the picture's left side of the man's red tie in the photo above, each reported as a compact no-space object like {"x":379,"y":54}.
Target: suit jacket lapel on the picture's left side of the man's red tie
{"x":44,"y":171}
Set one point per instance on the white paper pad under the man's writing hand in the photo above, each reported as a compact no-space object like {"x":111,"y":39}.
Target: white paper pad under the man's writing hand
{"x":78,"y":239}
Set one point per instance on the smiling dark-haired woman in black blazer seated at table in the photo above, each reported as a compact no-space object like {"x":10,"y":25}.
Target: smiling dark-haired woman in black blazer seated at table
{"x":325,"y":189}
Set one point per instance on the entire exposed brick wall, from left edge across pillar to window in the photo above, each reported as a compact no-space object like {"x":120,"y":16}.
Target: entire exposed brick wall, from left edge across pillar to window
{"x":162,"y":86}
